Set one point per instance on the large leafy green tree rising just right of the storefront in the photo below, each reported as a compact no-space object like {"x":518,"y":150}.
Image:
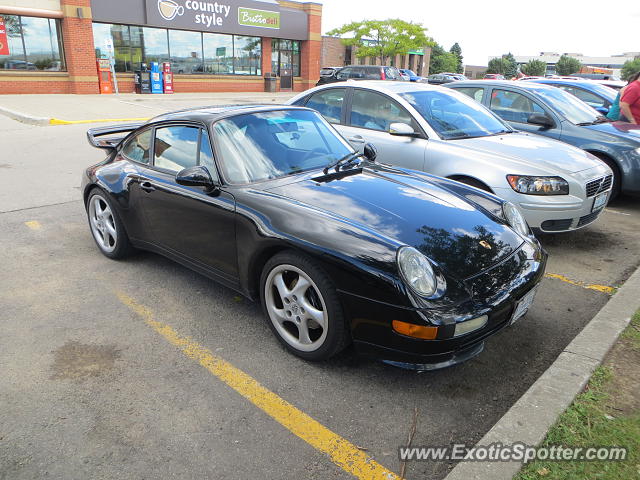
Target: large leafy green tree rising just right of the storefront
{"x":383,"y":38}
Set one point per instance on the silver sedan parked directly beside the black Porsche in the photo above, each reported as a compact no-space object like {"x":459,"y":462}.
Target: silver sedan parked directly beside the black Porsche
{"x":423,"y":127}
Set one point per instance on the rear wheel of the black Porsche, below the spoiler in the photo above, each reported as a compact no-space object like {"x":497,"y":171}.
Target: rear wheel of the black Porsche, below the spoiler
{"x":106,"y":227}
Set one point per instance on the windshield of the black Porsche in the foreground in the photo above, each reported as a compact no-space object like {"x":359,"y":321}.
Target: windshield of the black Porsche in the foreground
{"x":273,"y":144}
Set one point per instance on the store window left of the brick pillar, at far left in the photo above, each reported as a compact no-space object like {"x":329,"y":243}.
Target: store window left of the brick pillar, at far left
{"x":34,"y":44}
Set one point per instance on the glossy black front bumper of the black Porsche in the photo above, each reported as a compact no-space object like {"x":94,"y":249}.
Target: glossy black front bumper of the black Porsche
{"x":494,"y":293}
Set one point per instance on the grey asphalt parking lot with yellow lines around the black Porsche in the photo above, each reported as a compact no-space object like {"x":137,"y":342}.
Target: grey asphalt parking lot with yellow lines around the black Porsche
{"x":109,"y":368}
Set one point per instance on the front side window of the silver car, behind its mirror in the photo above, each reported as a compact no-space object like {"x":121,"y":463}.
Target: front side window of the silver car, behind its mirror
{"x":377,"y":112}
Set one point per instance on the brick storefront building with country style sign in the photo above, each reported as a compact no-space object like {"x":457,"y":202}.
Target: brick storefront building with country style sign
{"x":51,"y":46}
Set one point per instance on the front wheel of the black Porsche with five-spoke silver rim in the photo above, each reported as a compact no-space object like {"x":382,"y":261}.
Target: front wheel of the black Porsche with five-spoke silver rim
{"x":302,"y":306}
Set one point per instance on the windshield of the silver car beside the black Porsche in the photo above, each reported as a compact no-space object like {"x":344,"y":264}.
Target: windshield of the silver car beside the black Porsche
{"x":454,"y":115}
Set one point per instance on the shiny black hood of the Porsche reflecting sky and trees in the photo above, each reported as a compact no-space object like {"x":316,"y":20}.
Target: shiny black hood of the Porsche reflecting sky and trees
{"x":407,"y":210}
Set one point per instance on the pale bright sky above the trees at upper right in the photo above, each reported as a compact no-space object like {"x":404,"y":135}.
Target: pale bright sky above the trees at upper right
{"x":494,"y":27}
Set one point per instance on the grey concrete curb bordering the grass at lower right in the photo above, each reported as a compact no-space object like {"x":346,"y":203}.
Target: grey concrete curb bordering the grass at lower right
{"x":530,"y":418}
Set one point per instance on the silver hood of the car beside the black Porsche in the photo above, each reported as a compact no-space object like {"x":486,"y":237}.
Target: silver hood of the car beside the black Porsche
{"x":525,"y":149}
